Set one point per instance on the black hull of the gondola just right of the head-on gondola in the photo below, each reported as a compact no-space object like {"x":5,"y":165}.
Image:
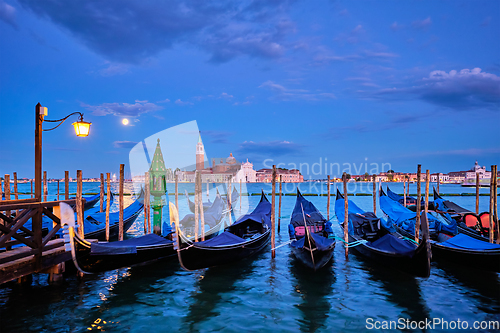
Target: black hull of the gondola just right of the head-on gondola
{"x":418,"y":265}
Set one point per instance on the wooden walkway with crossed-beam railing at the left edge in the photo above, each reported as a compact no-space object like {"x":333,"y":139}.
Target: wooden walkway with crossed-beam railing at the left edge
{"x":24,"y":251}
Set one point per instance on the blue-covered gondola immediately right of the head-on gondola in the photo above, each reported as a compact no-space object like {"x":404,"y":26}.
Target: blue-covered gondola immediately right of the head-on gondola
{"x":383,"y":244}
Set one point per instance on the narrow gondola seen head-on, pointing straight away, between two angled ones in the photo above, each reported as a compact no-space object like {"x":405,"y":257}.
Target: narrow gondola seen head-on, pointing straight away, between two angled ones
{"x":312,"y":239}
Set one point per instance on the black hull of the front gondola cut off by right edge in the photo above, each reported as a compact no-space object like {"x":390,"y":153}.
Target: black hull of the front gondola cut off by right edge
{"x":482,"y":259}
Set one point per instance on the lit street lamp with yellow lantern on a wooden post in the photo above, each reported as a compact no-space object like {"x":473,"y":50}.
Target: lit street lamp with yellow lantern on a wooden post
{"x":82,"y":128}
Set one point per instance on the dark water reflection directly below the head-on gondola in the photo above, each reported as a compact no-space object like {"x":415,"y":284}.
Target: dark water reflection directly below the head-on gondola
{"x":314,"y":288}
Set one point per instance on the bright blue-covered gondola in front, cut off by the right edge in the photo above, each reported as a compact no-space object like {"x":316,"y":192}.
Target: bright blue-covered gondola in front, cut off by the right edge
{"x":446,"y":246}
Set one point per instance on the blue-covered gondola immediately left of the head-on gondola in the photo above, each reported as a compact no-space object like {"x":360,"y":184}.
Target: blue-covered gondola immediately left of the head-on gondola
{"x":247,"y":236}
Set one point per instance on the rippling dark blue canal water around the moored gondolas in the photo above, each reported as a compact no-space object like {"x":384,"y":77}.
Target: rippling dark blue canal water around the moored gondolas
{"x":258,"y":294}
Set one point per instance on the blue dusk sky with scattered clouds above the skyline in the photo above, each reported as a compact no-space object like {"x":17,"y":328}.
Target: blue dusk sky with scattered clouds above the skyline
{"x":399,"y":82}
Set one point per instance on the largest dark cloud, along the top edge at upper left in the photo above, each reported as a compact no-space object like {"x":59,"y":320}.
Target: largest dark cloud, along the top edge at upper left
{"x":130,"y":31}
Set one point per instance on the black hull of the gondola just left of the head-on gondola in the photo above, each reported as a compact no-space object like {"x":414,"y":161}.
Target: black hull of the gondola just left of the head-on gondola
{"x":198,"y":257}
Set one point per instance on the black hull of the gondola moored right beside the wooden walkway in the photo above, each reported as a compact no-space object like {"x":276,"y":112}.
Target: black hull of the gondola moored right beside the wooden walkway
{"x":100,"y":263}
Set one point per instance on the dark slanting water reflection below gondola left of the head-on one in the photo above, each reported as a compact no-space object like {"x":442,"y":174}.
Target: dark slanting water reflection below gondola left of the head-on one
{"x":211,"y":286}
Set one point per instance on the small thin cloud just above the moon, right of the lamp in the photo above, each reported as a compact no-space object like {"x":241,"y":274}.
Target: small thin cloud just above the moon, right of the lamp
{"x":122,"y":109}
